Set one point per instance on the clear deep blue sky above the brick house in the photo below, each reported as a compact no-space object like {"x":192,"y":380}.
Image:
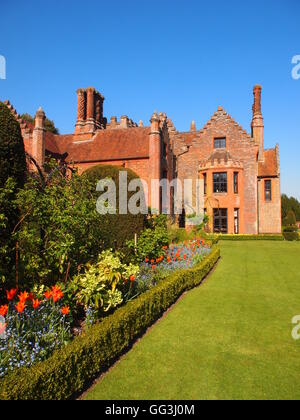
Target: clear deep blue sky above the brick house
{"x":181,"y":57}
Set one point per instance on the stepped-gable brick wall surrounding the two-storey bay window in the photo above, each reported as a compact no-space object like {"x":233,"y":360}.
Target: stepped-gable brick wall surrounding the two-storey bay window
{"x":242,"y":149}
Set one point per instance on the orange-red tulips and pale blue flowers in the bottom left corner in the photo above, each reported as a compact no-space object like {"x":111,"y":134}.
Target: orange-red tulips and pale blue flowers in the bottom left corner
{"x":35,"y":327}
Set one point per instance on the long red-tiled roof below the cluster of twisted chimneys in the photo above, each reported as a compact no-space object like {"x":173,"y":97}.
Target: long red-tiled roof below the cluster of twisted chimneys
{"x":106,"y":145}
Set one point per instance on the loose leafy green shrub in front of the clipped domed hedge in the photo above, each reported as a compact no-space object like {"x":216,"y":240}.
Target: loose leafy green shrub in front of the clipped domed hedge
{"x":59,"y":228}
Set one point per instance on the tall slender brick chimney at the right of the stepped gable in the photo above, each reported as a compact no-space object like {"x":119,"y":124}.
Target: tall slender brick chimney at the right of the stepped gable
{"x":257,"y":125}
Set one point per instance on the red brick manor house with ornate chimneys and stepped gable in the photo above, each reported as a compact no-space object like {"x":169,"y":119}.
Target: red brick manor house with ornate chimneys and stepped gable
{"x":241,"y":178}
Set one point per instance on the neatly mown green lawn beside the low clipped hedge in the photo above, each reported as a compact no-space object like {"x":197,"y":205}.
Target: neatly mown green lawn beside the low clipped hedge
{"x":228,"y":339}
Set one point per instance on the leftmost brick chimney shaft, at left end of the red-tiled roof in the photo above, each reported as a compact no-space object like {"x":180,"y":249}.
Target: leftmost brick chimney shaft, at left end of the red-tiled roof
{"x":38,"y":138}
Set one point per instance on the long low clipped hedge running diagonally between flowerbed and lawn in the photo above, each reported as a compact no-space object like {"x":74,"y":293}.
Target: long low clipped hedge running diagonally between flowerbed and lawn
{"x":69,"y":369}
